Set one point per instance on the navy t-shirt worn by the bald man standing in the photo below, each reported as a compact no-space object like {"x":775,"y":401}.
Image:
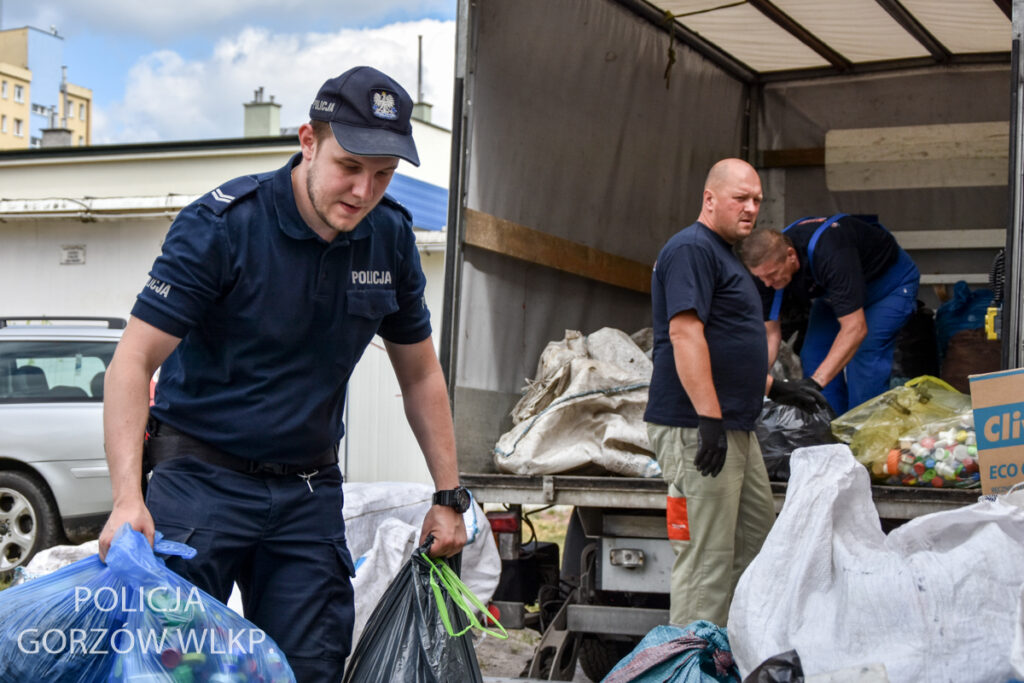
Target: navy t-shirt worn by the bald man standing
{"x":697,"y":271}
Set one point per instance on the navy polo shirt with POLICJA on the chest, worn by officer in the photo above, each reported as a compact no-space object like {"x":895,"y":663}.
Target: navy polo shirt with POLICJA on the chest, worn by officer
{"x":273,"y":319}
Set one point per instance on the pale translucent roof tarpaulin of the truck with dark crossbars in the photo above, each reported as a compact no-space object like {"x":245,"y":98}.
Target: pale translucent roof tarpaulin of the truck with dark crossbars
{"x":764,"y":37}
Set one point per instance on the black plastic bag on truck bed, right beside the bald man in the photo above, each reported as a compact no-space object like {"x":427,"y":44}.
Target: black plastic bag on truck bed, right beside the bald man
{"x":783,"y":429}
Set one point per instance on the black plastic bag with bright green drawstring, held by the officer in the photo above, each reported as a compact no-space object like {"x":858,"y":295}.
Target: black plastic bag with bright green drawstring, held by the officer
{"x":406,"y":639}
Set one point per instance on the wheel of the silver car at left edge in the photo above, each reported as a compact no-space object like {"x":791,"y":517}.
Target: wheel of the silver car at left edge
{"x":29,"y":521}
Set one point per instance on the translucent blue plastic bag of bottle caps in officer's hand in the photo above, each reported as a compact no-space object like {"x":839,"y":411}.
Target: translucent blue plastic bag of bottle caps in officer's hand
{"x":130,"y":620}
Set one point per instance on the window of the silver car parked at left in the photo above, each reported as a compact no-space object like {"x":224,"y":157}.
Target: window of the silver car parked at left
{"x":54,"y":371}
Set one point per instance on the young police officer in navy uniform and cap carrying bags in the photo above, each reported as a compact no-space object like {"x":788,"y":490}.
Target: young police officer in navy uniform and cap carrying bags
{"x":267,"y":293}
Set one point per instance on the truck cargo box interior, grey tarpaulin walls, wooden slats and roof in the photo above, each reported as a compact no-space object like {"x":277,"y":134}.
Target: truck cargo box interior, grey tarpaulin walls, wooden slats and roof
{"x":585,"y":141}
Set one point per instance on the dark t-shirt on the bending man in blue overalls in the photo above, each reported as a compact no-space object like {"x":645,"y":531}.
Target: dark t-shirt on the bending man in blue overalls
{"x":849,"y":254}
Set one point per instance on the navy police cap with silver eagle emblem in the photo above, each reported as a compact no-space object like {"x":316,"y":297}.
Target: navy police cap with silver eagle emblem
{"x":369,"y":113}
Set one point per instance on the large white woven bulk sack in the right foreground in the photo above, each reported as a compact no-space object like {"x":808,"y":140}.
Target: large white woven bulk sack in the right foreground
{"x":936,"y":601}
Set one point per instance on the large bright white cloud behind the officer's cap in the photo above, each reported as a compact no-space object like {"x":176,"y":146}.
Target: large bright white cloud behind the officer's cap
{"x":169,"y":98}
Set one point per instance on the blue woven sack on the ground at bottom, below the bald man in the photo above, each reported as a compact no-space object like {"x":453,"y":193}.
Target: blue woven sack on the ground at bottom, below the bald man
{"x":699,"y":653}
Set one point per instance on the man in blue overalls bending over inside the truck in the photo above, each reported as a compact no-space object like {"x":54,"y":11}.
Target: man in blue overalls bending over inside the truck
{"x":862,"y":288}
